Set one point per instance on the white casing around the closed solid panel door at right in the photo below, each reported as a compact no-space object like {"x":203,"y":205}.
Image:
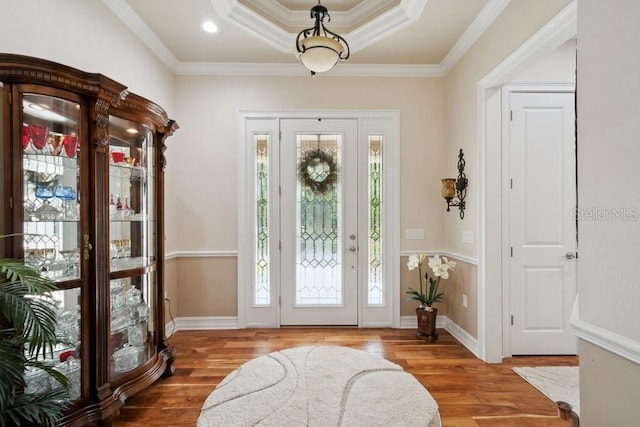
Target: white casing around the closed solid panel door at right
{"x":506,"y":92}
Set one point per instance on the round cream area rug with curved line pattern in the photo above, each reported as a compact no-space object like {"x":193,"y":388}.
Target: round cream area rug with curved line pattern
{"x":320,"y":386}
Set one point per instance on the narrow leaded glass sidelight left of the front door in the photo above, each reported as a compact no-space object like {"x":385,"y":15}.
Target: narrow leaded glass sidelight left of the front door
{"x":262,"y":290}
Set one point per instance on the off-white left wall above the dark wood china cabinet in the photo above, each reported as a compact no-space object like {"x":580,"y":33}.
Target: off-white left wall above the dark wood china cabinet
{"x":88,"y":36}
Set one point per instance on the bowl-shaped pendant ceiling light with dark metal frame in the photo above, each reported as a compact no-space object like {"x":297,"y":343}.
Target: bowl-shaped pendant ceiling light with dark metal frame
{"x":318,"y":48}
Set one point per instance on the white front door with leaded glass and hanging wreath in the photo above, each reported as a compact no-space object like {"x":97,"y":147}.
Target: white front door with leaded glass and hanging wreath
{"x":319,"y":222}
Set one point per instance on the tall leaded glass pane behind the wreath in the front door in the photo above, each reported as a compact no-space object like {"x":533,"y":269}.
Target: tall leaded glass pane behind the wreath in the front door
{"x":319,"y":221}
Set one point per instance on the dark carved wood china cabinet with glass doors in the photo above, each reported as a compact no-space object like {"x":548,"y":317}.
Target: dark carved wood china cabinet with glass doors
{"x":83,"y":176}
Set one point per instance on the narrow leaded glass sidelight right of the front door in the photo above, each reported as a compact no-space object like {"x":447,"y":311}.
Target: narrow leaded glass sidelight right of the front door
{"x":375,"y":293}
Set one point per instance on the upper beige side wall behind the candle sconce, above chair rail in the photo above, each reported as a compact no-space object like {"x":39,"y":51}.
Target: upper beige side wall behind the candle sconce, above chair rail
{"x":519,"y":21}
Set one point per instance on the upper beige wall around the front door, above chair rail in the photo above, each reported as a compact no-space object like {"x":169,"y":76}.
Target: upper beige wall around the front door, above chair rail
{"x":207,"y":143}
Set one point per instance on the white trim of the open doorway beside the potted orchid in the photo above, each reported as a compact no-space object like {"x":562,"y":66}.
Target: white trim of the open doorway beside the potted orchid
{"x":562,"y":28}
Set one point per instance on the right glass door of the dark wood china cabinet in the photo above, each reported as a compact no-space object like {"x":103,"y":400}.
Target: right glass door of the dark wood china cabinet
{"x":132,"y":235}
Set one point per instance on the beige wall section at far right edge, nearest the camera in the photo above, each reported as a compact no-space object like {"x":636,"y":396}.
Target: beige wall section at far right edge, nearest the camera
{"x":608,"y":152}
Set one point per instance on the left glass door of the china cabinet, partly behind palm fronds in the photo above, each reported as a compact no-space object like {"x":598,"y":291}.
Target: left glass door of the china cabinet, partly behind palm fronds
{"x":51,"y":224}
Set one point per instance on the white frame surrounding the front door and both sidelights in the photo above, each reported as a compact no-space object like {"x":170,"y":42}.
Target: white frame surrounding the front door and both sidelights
{"x":369,"y":121}
